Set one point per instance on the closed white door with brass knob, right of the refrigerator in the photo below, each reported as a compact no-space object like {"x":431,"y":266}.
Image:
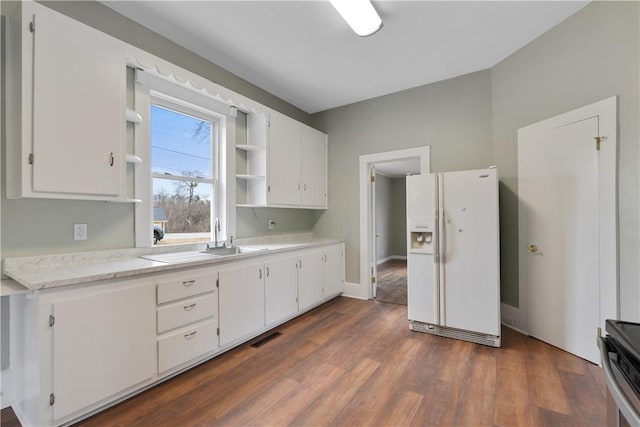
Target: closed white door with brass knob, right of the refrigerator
{"x":560,"y":234}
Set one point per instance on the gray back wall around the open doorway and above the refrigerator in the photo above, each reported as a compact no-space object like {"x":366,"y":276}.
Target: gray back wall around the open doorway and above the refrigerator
{"x":453,"y":117}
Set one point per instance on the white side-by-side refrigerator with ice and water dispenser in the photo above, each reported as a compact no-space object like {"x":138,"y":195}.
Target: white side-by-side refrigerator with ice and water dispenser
{"x":453,"y":264}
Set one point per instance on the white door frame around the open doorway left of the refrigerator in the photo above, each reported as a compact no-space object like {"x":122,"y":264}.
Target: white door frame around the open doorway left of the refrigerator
{"x":367,"y":254}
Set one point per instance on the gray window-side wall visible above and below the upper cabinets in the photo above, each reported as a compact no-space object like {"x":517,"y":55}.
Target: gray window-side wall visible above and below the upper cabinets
{"x":35,"y":227}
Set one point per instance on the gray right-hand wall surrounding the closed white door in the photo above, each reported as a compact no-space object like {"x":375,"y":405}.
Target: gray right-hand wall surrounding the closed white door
{"x":591,"y":56}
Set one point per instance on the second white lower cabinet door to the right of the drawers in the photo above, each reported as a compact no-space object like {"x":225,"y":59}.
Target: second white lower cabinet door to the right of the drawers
{"x":281,"y":288}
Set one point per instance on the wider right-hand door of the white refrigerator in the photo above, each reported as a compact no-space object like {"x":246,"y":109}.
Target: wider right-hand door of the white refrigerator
{"x":469,"y":253}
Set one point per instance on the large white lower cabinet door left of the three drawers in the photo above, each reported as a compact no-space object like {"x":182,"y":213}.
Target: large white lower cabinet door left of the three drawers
{"x":102,"y":344}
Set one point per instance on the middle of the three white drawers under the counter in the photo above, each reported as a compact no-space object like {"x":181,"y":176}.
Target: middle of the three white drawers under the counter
{"x":187,"y":311}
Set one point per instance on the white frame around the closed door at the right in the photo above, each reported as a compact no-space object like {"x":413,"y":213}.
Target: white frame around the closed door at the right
{"x":606,"y":111}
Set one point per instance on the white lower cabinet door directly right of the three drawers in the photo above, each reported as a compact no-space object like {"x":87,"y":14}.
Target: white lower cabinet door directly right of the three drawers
{"x":241,"y":301}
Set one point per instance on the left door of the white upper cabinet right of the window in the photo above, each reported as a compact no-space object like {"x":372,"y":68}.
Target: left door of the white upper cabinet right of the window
{"x":283,"y":185}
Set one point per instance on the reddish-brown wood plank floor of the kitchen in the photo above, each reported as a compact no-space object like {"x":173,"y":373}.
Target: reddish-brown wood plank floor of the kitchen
{"x":353,"y":362}
